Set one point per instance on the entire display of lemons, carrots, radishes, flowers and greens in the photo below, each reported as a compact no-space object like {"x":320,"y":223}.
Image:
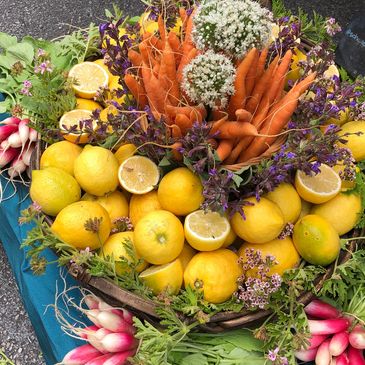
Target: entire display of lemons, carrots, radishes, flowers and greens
{"x":208,"y":158}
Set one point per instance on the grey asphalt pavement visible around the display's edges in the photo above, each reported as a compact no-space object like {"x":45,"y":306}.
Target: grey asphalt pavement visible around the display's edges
{"x":50,"y":19}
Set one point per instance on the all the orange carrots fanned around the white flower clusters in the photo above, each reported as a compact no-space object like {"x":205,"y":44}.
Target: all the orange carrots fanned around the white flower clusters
{"x":254,"y":122}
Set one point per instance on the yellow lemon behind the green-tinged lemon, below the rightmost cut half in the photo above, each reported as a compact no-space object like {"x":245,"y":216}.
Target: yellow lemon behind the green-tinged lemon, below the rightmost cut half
{"x":343,"y":211}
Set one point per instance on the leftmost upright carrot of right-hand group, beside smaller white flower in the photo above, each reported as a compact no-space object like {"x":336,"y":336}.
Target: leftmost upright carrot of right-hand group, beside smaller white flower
{"x":238,"y":99}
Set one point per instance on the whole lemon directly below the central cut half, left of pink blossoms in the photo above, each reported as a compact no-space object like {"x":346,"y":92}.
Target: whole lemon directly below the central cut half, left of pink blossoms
{"x":215,"y":273}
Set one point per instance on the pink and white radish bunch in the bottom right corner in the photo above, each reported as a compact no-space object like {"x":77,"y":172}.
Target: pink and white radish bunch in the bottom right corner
{"x":334,"y":337}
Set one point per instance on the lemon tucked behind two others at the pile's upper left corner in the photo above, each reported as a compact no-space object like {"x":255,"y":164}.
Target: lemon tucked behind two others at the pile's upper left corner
{"x":62,"y":155}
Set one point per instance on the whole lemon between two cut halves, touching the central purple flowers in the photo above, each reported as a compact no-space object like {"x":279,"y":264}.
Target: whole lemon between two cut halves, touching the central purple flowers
{"x":180,"y":191}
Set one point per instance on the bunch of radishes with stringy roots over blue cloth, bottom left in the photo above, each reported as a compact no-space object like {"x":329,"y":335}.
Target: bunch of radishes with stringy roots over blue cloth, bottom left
{"x":111,"y":340}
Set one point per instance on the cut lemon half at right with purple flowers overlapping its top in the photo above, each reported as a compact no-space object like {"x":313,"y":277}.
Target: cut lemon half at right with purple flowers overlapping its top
{"x":318,"y":188}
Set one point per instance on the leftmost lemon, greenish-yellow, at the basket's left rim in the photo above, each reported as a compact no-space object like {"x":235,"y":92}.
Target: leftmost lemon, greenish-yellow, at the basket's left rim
{"x":53,"y":189}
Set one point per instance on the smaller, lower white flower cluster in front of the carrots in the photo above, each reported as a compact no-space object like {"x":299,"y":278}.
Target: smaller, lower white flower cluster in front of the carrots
{"x":209,"y":79}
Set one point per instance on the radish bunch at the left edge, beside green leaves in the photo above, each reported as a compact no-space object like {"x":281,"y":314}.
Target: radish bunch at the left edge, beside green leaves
{"x":17,"y":141}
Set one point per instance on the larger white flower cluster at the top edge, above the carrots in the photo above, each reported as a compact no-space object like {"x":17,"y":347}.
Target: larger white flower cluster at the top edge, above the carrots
{"x":231,"y":26}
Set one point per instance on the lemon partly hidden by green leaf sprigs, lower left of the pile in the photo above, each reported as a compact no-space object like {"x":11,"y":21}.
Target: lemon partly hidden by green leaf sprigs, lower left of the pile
{"x":115,"y":246}
